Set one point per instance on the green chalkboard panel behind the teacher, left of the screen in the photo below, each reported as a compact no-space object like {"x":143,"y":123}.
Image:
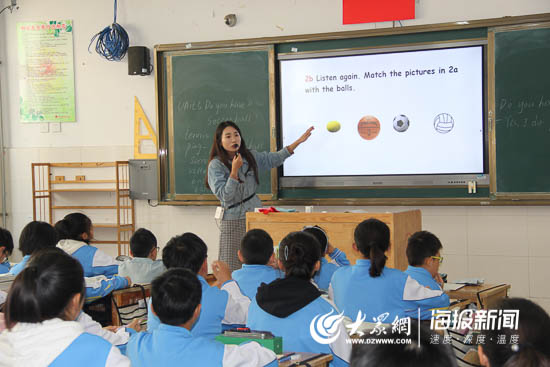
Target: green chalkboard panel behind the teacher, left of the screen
{"x":204,"y":88}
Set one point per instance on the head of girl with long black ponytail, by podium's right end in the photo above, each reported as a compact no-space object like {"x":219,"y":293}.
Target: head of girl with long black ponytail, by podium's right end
{"x":372,"y":240}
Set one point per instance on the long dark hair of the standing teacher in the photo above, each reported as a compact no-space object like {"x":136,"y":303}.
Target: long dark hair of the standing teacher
{"x":217,"y":151}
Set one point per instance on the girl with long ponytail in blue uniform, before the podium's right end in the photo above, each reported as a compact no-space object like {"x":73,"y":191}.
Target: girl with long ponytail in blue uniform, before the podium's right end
{"x":381,"y":294}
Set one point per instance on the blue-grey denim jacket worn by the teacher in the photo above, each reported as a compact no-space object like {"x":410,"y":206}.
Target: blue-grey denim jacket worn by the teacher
{"x":230,"y":191}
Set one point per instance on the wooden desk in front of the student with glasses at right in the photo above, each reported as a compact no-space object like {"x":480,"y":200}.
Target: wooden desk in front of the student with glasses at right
{"x":484,"y":295}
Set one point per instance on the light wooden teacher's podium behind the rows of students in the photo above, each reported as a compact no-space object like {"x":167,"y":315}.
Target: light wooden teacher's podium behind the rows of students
{"x":340,"y":227}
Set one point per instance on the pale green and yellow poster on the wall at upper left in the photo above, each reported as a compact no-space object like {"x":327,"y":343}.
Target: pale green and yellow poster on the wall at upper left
{"x":46,"y":79}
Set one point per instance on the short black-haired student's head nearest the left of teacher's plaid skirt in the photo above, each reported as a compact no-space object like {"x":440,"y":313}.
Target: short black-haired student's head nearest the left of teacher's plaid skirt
{"x":185,"y":251}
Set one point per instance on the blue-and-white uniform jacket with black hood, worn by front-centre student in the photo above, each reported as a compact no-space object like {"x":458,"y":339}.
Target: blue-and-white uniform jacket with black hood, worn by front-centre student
{"x":287,"y":307}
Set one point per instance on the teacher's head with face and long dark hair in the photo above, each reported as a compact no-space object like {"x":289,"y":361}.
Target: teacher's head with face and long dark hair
{"x":228,"y":140}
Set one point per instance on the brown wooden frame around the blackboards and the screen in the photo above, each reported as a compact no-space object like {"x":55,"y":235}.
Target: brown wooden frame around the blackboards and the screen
{"x":488,"y":197}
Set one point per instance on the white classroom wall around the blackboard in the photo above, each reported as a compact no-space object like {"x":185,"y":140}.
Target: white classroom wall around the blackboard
{"x":502,"y":244}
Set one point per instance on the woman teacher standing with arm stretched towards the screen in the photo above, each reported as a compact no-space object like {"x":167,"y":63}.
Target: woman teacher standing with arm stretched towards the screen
{"x":232,"y":176}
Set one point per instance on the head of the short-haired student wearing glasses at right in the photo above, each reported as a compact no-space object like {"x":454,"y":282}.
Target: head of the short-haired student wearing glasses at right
{"x":424,"y":250}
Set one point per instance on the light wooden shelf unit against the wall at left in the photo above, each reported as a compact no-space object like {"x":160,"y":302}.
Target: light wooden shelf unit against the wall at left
{"x":61,"y":188}
